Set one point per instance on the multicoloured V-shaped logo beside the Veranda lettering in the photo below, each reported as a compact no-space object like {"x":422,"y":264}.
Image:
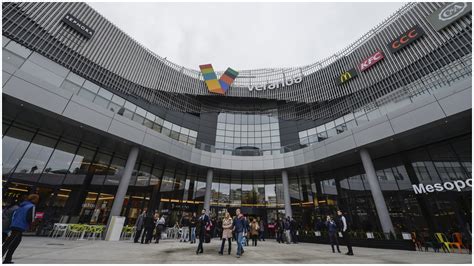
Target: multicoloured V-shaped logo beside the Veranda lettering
{"x":215,"y":85}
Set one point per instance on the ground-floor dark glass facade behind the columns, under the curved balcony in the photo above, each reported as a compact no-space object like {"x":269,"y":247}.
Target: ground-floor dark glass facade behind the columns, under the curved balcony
{"x":77,"y":183}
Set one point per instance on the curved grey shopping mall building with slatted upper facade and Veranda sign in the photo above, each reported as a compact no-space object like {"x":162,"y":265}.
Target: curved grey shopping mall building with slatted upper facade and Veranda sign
{"x":100,"y":126}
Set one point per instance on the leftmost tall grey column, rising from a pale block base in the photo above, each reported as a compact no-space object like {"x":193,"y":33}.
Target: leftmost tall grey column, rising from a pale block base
{"x":124,"y":182}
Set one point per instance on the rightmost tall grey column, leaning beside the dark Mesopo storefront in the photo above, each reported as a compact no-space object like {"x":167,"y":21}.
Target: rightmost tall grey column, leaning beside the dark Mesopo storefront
{"x":380,"y":205}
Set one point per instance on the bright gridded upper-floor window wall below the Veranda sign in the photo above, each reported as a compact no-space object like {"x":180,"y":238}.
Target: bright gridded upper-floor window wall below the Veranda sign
{"x":246,"y":132}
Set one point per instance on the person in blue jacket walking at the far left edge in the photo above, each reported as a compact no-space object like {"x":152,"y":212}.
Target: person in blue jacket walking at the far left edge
{"x":21,"y":220}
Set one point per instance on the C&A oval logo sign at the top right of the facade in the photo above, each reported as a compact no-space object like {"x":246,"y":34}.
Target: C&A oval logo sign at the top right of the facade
{"x":448,"y":14}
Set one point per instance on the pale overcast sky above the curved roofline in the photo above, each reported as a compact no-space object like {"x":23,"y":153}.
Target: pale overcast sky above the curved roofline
{"x":245,"y":35}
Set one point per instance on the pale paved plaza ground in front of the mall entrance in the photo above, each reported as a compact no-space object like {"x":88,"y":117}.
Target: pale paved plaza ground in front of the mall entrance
{"x":47,"y":250}
